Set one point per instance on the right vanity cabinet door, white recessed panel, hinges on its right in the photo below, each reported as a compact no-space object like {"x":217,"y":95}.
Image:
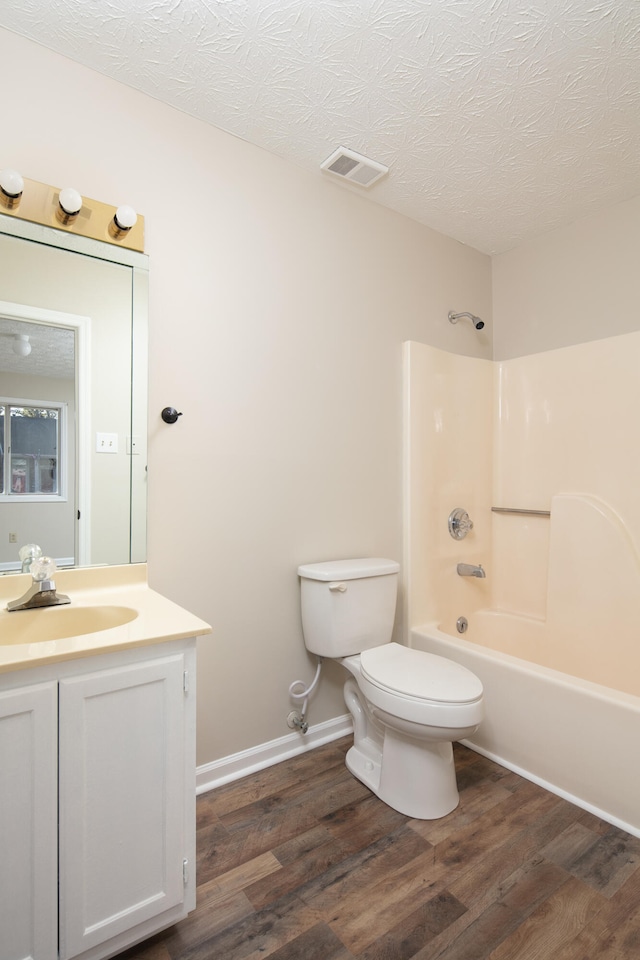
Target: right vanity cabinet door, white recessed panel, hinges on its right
{"x":122,"y":797}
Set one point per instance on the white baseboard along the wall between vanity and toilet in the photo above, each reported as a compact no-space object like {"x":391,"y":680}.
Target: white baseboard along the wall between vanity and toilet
{"x":238,"y":765}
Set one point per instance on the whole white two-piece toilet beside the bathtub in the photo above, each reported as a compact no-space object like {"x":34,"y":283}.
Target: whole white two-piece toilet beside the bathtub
{"x":408,"y":706}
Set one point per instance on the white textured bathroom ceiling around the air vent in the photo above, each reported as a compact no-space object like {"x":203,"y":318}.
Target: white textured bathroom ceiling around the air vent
{"x":499,"y":119}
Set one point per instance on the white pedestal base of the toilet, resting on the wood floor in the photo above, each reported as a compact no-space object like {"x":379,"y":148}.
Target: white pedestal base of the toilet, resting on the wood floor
{"x":415,"y":778}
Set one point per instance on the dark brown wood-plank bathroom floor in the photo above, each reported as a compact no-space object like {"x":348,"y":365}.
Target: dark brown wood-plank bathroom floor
{"x":301,"y":862}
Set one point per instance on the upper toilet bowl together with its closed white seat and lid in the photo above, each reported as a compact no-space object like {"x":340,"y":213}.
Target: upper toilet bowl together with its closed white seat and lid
{"x":420,"y":687}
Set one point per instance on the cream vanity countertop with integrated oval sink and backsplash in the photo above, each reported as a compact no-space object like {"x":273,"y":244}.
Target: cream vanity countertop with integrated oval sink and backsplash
{"x":153,"y":618}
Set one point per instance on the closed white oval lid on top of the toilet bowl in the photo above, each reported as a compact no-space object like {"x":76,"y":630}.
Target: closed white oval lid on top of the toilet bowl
{"x":415,"y":673}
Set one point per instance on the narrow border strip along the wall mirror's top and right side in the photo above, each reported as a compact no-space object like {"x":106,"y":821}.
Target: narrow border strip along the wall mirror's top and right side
{"x":12,"y":226}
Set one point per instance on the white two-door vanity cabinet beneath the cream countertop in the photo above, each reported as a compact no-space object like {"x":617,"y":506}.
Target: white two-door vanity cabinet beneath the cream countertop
{"x":97,"y":806}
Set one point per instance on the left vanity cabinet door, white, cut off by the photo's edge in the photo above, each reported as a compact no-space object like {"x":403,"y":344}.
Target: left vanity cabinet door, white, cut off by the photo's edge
{"x":28,"y":823}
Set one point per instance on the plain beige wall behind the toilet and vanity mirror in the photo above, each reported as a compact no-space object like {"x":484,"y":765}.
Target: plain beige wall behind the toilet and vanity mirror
{"x":279,"y":303}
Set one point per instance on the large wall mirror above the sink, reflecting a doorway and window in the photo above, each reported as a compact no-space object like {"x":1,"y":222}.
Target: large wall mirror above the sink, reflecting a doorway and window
{"x":73,"y":397}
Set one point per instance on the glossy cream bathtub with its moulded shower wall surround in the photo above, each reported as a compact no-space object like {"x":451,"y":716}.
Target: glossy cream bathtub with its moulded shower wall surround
{"x":555,"y":627}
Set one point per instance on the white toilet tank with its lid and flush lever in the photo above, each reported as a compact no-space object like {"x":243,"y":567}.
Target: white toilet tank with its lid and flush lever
{"x":348,"y":605}
